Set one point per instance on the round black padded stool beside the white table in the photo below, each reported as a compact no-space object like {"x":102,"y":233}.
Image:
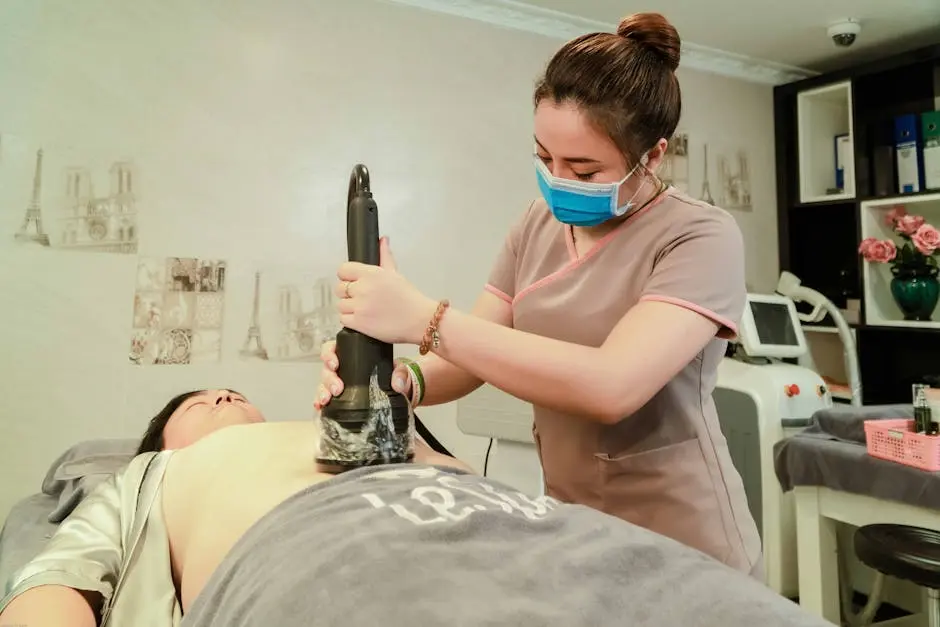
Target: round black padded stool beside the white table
{"x":907,"y":553}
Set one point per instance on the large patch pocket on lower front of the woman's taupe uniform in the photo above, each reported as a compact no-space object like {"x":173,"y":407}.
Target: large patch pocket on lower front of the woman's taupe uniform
{"x":668,"y":490}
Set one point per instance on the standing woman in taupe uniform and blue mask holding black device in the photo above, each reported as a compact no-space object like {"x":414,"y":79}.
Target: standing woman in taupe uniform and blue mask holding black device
{"x":608,"y":308}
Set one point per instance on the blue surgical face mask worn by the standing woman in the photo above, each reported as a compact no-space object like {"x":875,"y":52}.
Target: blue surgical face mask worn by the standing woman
{"x":580,"y":203}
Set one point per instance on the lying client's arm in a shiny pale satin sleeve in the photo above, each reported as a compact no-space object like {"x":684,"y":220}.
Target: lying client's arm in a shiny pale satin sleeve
{"x":74,"y":576}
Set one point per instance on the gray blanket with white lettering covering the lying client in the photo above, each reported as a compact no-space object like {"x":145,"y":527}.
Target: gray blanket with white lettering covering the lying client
{"x":412,"y":545}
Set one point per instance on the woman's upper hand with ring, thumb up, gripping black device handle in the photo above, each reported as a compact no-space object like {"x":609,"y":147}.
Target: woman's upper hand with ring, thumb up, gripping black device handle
{"x":379,"y":302}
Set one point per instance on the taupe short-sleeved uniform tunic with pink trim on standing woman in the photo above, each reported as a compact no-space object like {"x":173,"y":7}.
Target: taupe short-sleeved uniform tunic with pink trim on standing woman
{"x":666,"y":467}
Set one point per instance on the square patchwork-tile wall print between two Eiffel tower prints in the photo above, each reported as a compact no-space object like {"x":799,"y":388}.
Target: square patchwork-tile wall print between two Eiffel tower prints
{"x":178,"y":311}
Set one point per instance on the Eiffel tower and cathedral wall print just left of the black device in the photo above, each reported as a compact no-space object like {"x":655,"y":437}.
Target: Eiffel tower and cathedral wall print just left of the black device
{"x":293,"y":312}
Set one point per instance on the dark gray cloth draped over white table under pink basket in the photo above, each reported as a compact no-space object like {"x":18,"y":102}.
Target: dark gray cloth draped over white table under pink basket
{"x":832,"y":453}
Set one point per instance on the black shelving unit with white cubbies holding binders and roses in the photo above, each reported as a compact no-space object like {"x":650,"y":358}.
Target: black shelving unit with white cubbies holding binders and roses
{"x":820,"y":227}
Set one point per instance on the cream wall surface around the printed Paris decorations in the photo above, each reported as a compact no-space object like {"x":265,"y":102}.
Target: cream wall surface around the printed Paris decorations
{"x":242,"y":120}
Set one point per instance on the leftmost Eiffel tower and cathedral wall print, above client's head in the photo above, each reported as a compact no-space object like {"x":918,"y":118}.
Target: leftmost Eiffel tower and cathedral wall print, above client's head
{"x":74,"y":202}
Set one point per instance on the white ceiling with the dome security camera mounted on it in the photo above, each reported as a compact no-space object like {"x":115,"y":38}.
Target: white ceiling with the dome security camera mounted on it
{"x":791,"y":32}
